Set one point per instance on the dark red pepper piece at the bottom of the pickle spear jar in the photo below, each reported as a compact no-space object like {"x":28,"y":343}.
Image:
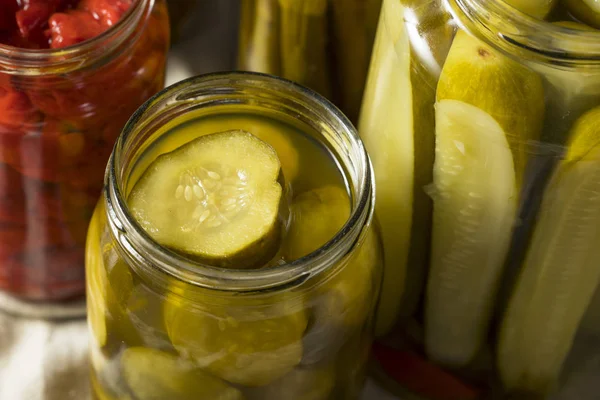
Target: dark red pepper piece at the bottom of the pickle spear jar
{"x":421,"y":377}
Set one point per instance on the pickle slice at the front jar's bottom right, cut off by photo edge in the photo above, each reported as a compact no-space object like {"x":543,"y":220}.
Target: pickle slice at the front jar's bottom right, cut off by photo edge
{"x":299,"y":384}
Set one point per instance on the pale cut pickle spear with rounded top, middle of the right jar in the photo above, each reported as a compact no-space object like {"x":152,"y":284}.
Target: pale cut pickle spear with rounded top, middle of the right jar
{"x":474,"y":207}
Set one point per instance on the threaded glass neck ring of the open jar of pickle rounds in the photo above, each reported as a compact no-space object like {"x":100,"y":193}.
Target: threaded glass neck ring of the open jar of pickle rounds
{"x":266,"y":96}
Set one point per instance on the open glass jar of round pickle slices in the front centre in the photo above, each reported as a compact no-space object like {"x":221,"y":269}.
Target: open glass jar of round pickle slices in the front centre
{"x":233,"y":255}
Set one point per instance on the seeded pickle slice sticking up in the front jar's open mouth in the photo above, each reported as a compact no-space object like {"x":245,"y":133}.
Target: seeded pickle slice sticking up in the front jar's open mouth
{"x":215,"y":198}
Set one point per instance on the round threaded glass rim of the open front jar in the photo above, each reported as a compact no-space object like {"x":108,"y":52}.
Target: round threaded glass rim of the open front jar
{"x":141,"y":249}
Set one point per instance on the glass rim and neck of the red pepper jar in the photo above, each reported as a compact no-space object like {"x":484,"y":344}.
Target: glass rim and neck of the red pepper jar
{"x":115,"y":40}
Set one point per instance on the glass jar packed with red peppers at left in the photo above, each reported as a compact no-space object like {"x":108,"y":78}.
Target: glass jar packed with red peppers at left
{"x":60,"y":113}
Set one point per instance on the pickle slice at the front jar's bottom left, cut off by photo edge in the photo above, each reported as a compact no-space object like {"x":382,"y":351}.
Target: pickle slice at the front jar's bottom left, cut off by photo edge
{"x":155,"y":375}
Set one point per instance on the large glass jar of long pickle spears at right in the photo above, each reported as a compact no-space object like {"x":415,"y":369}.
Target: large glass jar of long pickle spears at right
{"x":483,"y":123}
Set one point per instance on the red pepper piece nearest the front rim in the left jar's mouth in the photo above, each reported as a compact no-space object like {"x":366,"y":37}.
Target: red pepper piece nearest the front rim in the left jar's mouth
{"x":73,"y":27}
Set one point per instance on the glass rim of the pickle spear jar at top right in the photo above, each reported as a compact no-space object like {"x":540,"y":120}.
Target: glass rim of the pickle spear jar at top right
{"x":517,"y":33}
